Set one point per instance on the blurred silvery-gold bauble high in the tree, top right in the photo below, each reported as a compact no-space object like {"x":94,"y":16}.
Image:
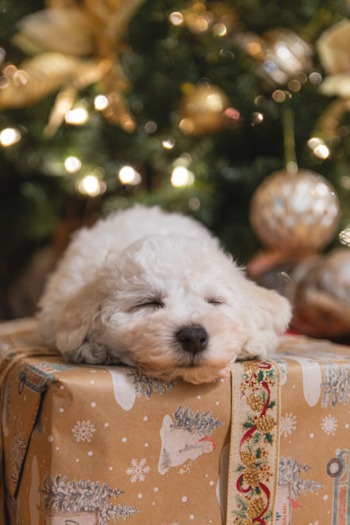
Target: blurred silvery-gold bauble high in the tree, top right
{"x":281,"y":54}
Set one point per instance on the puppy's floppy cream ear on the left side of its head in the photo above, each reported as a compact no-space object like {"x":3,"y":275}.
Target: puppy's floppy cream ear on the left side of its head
{"x":76,"y":326}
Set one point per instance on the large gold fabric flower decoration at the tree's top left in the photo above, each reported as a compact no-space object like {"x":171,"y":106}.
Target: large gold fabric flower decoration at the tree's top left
{"x":74,"y":44}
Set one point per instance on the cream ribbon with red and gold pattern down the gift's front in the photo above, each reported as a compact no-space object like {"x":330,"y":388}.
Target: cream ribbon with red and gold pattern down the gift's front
{"x":254,"y":446}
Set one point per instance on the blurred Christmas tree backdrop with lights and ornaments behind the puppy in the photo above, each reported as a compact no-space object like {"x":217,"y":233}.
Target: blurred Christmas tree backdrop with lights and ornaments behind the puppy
{"x":235,"y":112}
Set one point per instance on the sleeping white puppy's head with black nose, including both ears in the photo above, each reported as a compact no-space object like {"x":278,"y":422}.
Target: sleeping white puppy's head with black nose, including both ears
{"x":171,"y":306}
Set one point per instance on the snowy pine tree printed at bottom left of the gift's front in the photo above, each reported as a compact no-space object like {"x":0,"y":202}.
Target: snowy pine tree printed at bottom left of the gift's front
{"x":61,"y":495}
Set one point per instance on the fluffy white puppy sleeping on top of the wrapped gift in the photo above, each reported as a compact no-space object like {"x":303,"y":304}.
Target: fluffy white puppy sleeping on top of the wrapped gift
{"x":154,"y":290}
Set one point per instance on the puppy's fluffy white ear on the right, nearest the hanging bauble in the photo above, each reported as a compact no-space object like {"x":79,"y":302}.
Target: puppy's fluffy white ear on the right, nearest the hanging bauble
{"x":266,"y":316}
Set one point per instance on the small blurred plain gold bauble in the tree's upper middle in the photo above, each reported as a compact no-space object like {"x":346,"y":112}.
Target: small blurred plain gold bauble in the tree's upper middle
{"x":203,"y":109}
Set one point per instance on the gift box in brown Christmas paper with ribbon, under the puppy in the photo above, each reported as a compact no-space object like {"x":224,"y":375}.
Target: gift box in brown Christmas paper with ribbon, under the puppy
{"x":96,"y":445}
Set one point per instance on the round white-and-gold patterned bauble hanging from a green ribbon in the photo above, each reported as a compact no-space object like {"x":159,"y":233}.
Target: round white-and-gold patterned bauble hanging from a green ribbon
{"x":295,"y":211}
